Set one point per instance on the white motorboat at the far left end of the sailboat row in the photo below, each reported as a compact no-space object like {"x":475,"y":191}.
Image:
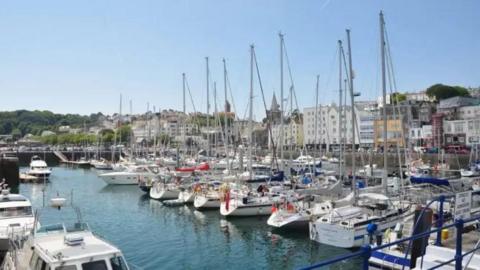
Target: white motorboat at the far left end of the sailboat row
{"x":130,"y":176}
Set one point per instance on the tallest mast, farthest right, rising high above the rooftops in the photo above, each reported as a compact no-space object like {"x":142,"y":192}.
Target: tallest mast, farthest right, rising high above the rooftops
{"x":384,"y":103}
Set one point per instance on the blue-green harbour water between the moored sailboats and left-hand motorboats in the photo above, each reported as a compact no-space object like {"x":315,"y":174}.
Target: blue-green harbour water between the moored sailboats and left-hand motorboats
{"x":153,"y":236}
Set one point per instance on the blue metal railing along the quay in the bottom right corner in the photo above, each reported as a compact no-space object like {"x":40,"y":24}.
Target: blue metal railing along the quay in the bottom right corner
{"x":367,"y":250}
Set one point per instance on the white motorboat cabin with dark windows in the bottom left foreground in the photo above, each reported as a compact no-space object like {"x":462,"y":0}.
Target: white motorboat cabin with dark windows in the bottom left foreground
{"x":62,"y":247}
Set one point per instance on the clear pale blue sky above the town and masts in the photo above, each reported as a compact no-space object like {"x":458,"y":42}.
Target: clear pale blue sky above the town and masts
{"x":78,"y":56}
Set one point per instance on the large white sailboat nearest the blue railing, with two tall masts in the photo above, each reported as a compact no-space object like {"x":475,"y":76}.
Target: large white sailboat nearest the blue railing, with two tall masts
{"x":370,"y":213}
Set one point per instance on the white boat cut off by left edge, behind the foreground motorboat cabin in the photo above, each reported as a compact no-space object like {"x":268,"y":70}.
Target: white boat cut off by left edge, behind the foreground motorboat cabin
{"x":16,"y":217}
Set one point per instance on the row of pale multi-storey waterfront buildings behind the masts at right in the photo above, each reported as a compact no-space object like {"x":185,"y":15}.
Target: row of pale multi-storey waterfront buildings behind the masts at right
{"x":417,"y":121}
